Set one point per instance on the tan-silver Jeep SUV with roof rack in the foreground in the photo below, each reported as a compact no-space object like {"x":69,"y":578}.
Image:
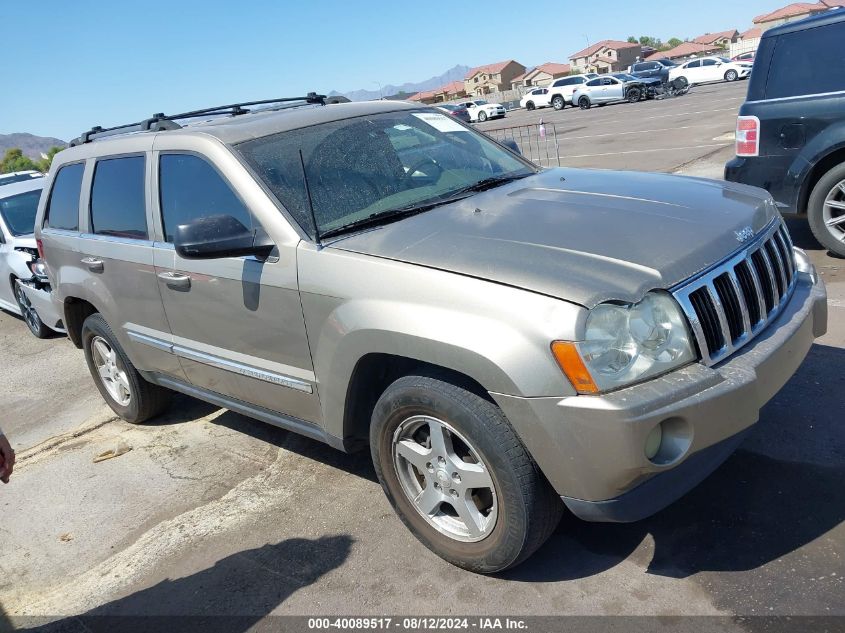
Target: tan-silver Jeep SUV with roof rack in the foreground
{"x":506,"y":340}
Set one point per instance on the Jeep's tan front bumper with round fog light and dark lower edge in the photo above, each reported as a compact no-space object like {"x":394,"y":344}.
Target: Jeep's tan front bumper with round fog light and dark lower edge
{"x":592,"y":448}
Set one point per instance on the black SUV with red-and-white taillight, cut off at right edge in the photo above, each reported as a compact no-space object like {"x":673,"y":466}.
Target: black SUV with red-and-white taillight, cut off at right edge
{"x":790,"y":133}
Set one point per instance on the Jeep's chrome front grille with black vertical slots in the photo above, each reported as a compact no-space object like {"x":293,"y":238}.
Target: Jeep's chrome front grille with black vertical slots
{"x":731,"y":303}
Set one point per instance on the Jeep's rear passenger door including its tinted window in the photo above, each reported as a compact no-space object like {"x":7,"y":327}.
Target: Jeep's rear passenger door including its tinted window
{"x":116,"y":258}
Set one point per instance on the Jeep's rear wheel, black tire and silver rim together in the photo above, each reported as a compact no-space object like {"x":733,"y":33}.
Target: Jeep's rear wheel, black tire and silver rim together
{"x":145,"y":400}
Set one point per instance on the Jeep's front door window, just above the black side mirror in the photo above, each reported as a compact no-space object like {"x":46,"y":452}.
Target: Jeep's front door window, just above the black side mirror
{"x":189,"y":188}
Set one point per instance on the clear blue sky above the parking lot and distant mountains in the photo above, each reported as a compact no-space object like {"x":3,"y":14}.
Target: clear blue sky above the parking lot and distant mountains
{"x":96,"y":62}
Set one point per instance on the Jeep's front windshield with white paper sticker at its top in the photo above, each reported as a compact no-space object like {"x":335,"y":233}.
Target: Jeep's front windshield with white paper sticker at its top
{"x":365,"y":171}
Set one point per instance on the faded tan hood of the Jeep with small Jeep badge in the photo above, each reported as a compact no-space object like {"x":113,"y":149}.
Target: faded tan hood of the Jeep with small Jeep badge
{"x":585,"y":236}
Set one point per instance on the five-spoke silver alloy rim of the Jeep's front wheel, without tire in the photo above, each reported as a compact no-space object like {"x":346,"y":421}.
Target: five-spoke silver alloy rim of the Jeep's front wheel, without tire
{"x":444,"y":478}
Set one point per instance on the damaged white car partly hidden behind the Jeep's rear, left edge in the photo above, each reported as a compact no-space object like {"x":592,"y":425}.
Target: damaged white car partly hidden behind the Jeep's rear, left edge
{"x":23,"y":287}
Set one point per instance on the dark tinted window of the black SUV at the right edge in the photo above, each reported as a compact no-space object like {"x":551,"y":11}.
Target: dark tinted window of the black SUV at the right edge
{"x":808,"y":62}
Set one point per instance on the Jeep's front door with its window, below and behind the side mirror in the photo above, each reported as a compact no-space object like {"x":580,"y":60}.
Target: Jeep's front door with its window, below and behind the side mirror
{"x":237,"y":322}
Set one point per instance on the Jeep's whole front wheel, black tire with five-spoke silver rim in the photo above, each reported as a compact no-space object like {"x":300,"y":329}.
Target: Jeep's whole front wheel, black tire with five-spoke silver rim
{"x":521,"y":508}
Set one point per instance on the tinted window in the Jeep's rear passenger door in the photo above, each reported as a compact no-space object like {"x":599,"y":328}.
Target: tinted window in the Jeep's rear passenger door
{"x":118,"y":206}
